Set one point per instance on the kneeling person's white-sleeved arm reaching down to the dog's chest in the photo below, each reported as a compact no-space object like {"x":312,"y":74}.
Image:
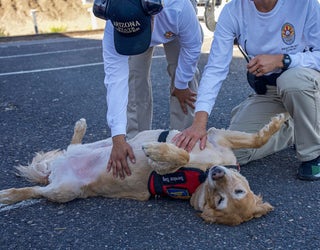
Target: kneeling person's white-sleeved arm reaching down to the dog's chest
{"x":214,"y":74}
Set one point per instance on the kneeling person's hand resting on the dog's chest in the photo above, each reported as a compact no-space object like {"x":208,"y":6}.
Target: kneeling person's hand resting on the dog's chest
{"x":188,"y":138}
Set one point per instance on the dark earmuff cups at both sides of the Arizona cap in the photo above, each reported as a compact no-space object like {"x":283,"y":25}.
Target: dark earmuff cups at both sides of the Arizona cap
{"x":150,"y":7}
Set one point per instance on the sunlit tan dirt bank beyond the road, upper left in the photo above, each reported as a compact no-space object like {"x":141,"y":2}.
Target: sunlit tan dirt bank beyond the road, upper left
{"x":51,"y":16}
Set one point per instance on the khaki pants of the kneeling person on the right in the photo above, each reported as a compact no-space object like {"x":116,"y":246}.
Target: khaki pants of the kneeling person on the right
{"x":298,"y":93}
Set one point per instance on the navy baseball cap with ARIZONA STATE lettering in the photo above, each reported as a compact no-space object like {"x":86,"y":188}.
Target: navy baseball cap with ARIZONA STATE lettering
{"x":132,"y":26}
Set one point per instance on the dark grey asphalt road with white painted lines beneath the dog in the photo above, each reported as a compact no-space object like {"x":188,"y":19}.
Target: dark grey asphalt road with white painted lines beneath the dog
{"x":48,"y":84}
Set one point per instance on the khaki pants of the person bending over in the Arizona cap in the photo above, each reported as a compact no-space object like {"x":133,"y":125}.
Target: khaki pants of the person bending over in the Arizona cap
{"x":140,"y":102}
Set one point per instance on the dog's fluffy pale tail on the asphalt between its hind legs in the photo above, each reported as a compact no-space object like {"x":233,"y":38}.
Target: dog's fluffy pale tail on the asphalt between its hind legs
{"x":38,"y":170}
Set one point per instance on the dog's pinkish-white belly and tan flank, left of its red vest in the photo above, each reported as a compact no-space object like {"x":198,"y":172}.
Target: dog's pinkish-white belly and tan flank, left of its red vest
{"x":85,"y":169}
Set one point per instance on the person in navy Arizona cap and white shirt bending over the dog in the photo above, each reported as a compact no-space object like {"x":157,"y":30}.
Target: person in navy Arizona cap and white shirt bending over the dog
{"x":133,"y":28}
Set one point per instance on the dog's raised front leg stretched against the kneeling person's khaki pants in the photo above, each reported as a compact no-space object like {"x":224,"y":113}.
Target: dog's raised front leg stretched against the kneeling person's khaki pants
{"x":237,"y":139}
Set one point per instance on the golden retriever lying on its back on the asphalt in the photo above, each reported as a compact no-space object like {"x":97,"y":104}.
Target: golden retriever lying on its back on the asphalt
{"x":223,"y":197}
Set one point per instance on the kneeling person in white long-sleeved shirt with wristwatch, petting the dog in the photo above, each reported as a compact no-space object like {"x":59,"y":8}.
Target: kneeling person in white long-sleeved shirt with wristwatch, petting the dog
{"x":282,"y":41}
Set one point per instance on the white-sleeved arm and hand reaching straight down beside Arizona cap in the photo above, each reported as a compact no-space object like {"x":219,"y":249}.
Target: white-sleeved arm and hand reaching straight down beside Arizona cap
{"x":116,"y":81}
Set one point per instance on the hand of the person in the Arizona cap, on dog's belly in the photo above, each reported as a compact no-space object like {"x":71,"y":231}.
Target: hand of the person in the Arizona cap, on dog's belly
{"x":118,"y":157}
